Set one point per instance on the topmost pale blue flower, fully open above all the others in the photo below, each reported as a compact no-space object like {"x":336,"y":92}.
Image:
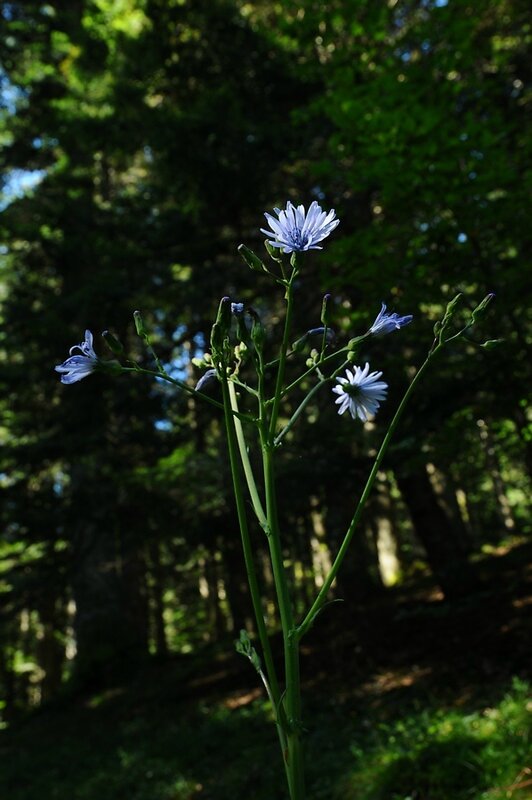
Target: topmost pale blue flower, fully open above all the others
{"x":295,"y":230}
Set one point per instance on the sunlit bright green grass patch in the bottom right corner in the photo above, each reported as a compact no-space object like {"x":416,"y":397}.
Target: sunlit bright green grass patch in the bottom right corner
{"x":444,"y":753}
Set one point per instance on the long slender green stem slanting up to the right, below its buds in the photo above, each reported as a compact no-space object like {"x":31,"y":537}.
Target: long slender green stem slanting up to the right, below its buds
{"x":322,"y":595}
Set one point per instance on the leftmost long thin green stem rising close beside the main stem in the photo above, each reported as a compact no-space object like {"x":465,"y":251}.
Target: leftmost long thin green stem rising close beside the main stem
{"x":250,"y":565}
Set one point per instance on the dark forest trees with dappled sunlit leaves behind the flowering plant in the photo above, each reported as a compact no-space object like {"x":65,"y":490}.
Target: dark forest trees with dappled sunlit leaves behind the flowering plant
{"x":142,"y":141}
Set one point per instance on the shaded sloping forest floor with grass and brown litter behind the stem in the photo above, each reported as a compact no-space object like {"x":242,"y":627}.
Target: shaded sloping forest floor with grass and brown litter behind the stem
{"x":410,"y":698}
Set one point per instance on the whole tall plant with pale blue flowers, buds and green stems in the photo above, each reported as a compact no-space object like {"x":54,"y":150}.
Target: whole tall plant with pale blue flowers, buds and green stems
{"x":237,"y":339}
